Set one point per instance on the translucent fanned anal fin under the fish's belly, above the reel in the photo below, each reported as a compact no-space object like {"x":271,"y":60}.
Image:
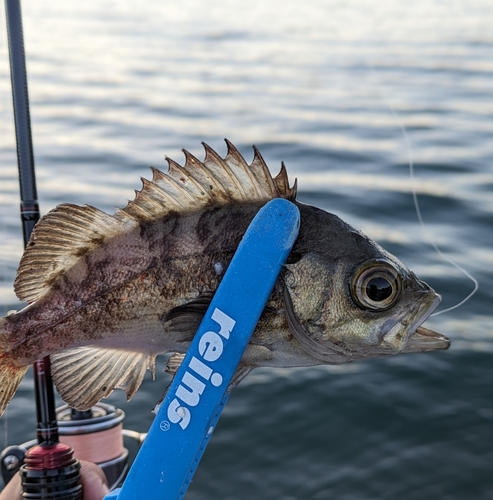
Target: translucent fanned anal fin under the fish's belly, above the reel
{"x":84,"y":375}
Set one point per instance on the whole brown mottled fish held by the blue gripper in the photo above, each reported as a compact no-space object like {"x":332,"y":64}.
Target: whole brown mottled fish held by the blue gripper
{"x":107,"y":293}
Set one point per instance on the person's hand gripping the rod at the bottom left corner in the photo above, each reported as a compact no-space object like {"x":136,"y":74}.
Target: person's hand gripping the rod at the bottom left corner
{"x":94,"y":484}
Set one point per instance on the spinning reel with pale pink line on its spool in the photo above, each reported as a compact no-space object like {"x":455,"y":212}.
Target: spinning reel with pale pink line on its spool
{"x":96,"y":435}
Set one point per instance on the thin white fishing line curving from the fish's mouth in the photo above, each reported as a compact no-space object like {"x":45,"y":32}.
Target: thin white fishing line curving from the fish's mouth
{"x":426,"y":235}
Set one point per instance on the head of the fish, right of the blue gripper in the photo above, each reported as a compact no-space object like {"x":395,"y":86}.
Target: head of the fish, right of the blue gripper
{"x":347,"y":298}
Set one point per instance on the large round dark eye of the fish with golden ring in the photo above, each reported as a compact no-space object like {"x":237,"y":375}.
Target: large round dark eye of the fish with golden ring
{"x":376,"y":285}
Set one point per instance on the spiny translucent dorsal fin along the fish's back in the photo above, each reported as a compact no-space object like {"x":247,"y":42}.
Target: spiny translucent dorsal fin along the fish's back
{"x":69,"y":232}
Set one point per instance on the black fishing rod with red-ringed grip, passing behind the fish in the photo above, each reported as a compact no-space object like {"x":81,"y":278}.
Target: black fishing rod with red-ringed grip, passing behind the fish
{"x":50,"y":469}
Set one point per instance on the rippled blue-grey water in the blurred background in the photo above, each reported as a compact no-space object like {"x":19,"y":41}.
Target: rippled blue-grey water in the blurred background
{"x":328,"y":87}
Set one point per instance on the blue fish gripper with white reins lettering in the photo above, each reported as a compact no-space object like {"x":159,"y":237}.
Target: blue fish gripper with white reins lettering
{"x":193,"y":403}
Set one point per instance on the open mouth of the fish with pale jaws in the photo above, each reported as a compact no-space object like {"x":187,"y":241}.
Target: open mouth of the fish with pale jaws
{"x":419,"y":338}
